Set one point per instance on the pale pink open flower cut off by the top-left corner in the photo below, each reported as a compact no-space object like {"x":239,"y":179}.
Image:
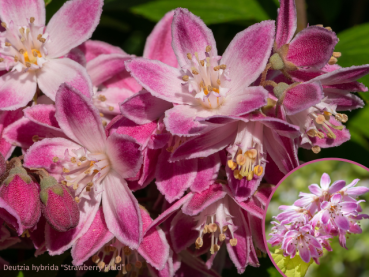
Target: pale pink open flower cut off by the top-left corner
{"x":33,"y":51}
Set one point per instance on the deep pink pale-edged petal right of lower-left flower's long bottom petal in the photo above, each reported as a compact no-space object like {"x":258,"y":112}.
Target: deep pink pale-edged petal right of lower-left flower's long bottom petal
{"x":154,"y":247}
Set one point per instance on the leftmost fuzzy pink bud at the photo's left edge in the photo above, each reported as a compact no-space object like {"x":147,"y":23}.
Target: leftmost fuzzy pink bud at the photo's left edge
{"x":22,"y":194}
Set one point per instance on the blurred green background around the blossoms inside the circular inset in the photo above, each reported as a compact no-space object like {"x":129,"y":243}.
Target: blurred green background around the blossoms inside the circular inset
{"x":340,"y":262}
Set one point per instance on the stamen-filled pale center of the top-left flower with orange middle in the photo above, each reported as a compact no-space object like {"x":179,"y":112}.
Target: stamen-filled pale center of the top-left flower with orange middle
{"x":23,"y":46}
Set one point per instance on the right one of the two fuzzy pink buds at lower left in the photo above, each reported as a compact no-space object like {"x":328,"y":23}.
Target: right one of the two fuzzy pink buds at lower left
{"x":58,"y":205}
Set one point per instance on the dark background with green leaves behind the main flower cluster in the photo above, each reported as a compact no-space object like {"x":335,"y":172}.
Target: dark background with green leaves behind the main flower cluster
{"x":127,"y":23}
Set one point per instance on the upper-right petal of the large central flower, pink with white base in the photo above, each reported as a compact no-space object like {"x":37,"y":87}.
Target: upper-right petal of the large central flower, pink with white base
{"x":253,"y":47}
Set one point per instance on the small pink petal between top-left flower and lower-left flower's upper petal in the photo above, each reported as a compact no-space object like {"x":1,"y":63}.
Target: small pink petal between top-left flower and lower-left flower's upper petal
{"x":43,"y":115}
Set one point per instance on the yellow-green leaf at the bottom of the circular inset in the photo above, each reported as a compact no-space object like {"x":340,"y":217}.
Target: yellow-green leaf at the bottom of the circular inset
{"x":295,"y":267}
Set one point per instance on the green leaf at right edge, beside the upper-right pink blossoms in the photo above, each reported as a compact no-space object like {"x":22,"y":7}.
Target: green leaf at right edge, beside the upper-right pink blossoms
{"x":354,"y":46}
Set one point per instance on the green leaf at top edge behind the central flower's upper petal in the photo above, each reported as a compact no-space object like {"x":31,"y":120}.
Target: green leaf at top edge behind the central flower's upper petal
{"x":209,"y":10}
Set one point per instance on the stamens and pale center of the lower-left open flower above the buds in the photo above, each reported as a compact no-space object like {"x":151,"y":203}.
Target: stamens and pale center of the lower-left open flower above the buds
{"x":82,"y":170}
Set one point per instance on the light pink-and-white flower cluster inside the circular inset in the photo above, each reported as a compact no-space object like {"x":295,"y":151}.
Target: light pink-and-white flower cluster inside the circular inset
{"x":328,"y":211}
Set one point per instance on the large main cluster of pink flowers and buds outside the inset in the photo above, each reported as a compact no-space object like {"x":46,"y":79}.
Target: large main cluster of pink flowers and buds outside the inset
{"x":193,"y":130}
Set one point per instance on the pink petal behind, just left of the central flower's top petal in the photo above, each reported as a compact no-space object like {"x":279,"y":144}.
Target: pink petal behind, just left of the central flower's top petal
{"x":159,"y":43}
